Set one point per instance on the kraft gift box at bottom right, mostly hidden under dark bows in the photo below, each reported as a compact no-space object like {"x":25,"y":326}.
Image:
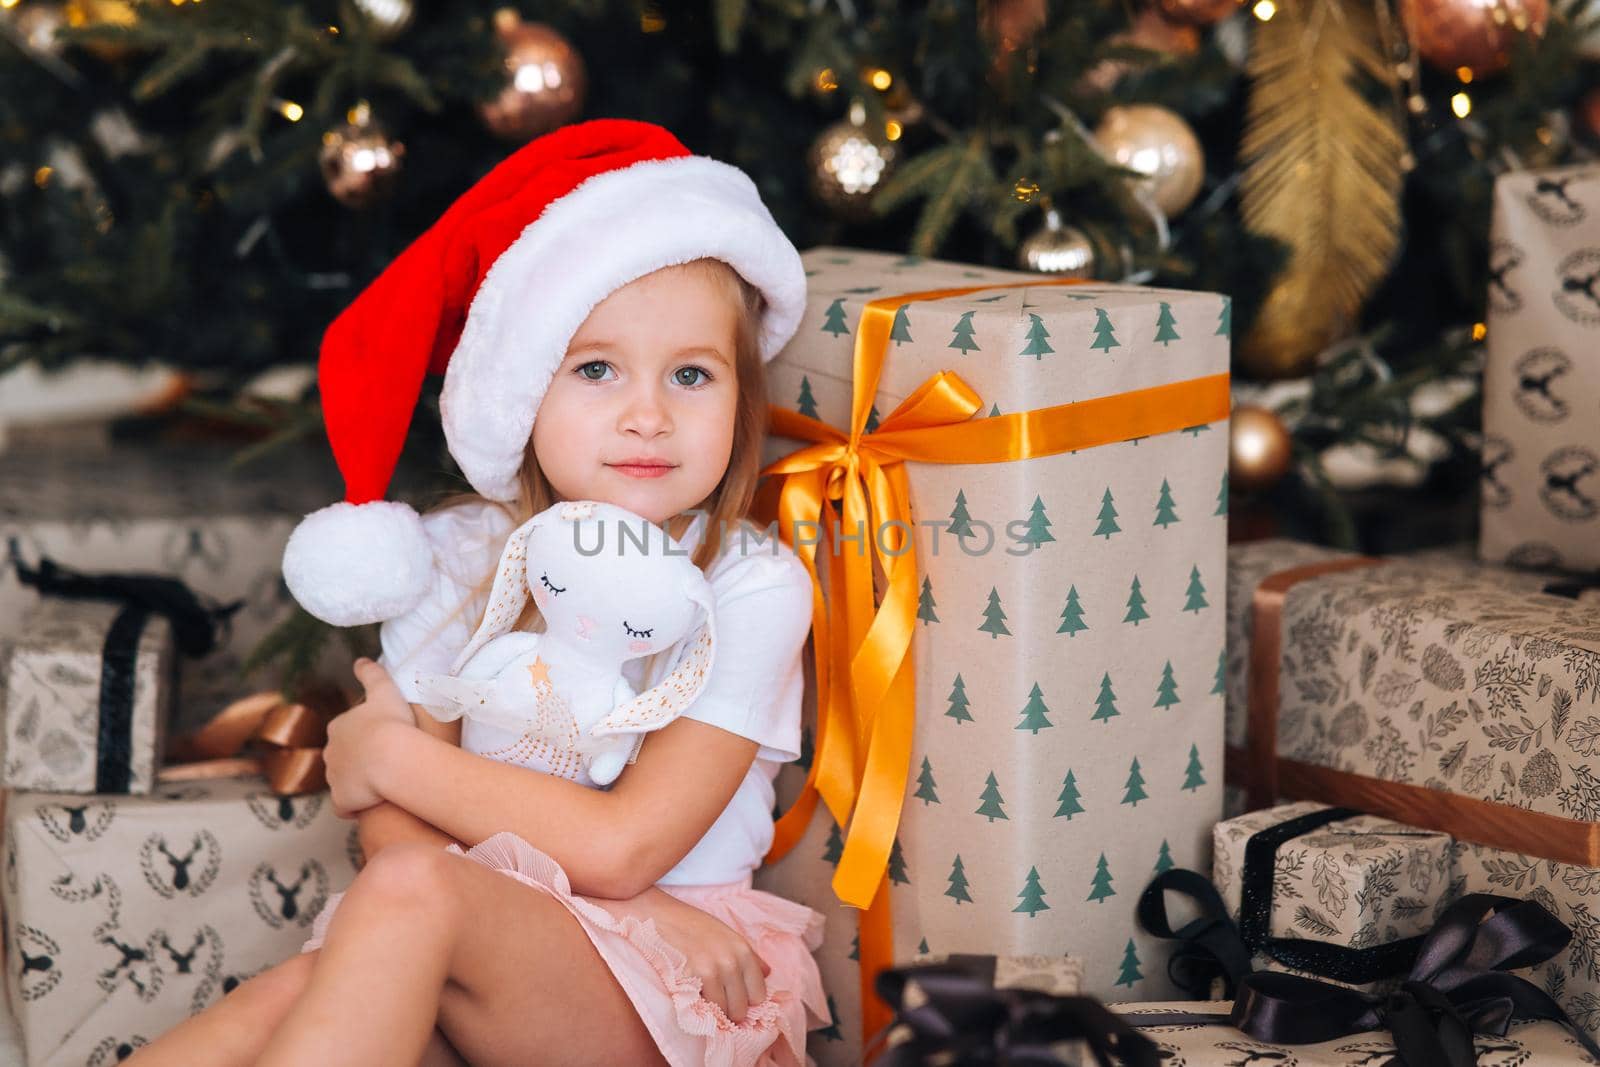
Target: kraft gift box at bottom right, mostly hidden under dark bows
{"x":1220,"y":1045}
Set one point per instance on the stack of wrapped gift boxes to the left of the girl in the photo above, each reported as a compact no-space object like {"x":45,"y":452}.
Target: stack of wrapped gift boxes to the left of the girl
{"x":138,"y":890}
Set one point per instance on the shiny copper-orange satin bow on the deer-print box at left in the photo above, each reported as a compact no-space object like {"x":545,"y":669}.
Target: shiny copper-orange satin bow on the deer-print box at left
{"x":290,"y":740}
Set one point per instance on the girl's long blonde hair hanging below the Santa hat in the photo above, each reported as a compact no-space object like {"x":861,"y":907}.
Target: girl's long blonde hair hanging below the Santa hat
{"x":730,"y":502}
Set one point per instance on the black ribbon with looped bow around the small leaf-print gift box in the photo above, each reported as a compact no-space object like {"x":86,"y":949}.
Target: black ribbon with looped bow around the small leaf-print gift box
{"x":1214,"y":946}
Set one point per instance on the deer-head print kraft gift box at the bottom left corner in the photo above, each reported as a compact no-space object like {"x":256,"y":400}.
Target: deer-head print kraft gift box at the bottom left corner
{"x":126,"y":916}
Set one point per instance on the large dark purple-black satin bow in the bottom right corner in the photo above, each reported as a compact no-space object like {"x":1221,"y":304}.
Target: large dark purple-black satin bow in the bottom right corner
{"x":1457,"y":988}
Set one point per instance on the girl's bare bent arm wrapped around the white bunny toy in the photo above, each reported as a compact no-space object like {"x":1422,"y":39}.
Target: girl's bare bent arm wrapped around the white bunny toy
{"x":612,"y":844}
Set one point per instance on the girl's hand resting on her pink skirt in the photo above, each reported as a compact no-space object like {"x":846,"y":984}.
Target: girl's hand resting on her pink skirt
{"x":732,"y":975}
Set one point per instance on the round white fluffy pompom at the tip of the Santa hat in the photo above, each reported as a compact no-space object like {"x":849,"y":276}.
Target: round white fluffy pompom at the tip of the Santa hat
{"x":354,"y":564}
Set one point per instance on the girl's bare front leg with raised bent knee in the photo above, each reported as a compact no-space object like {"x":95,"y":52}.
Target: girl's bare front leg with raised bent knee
{"x":423,"y":937}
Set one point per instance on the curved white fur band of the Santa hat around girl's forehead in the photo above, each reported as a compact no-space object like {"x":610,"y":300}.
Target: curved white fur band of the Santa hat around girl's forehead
{"x":609,"y":231}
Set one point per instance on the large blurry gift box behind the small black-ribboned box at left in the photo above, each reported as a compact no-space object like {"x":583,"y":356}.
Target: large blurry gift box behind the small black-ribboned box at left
{"x":164,"y":510}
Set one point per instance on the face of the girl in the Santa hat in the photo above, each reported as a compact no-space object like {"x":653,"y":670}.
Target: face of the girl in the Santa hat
{"x":649,"y":378}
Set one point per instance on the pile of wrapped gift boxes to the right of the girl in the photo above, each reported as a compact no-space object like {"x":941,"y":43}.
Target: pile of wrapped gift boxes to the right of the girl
{"x":1086,"y":649}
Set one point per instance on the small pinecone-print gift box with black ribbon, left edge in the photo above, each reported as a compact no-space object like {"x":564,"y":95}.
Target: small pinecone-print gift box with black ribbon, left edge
{"x":86,"y":695}
